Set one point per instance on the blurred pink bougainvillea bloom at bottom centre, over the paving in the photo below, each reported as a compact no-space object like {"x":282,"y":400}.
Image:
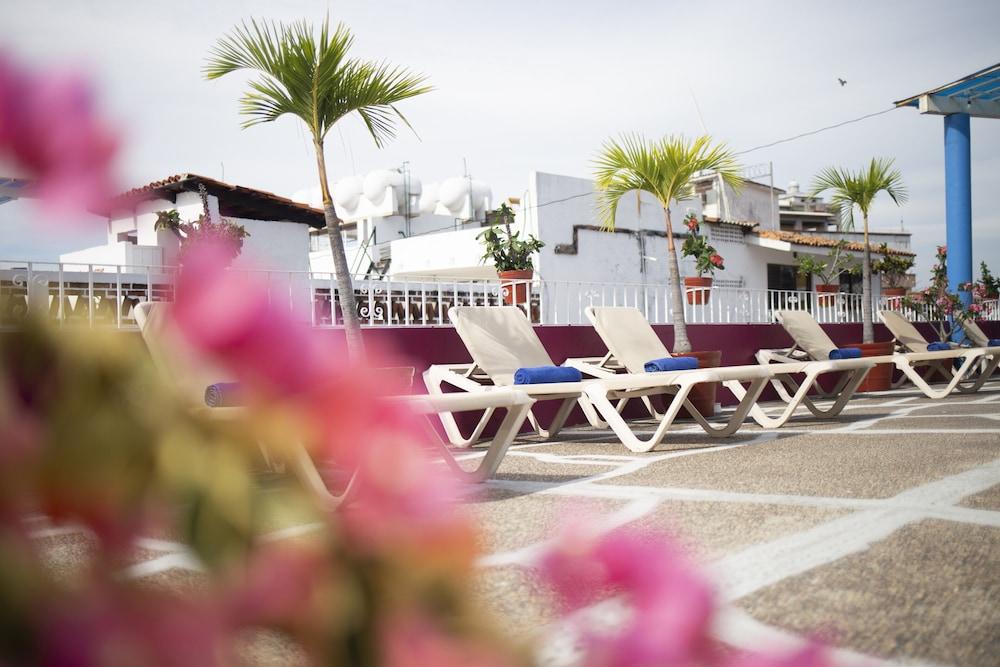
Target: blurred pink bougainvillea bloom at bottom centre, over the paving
{"x":671,"y":603}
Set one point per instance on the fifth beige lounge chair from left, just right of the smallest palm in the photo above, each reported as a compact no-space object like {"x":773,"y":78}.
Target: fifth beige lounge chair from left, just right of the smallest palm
{"x":965,"y":379}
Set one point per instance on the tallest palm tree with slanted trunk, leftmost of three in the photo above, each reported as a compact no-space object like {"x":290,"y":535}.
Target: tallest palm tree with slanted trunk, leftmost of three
{"x":313,"y":79}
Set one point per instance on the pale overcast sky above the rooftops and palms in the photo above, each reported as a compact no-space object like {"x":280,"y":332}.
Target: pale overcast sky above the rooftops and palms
{"x":522,"y":86}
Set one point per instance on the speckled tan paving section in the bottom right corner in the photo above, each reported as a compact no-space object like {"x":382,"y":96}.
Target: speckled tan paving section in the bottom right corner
{"x":929,"y":592}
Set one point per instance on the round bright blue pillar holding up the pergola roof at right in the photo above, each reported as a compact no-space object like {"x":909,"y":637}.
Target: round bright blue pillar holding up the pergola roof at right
{"x":958,"y":203}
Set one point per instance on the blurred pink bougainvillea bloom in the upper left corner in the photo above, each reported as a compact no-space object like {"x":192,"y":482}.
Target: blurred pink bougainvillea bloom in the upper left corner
{"x":49,"y":129}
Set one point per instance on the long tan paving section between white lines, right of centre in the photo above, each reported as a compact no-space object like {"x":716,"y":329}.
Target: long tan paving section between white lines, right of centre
{"x":841,"y":465}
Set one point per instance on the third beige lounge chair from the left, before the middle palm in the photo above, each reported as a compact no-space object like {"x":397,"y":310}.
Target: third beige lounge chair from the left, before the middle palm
{"x":631,"y":342}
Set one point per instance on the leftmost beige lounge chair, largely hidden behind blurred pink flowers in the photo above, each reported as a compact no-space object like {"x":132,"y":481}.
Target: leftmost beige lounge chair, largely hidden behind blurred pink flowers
{"x":192,"y":376}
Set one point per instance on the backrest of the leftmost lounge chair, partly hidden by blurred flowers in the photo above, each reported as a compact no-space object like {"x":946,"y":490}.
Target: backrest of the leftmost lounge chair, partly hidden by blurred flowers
{"x":174,"y":358}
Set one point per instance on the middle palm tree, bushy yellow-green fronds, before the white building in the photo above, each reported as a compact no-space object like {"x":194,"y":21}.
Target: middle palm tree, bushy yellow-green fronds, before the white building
{"x":664,"y":169}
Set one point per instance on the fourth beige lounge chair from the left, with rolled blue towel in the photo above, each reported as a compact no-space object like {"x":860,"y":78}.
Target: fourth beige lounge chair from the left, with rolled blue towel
{"x":812,"y":343}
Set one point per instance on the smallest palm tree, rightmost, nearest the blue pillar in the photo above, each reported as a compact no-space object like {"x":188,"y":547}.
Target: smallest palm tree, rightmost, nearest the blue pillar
{"x":859,"y":189}
